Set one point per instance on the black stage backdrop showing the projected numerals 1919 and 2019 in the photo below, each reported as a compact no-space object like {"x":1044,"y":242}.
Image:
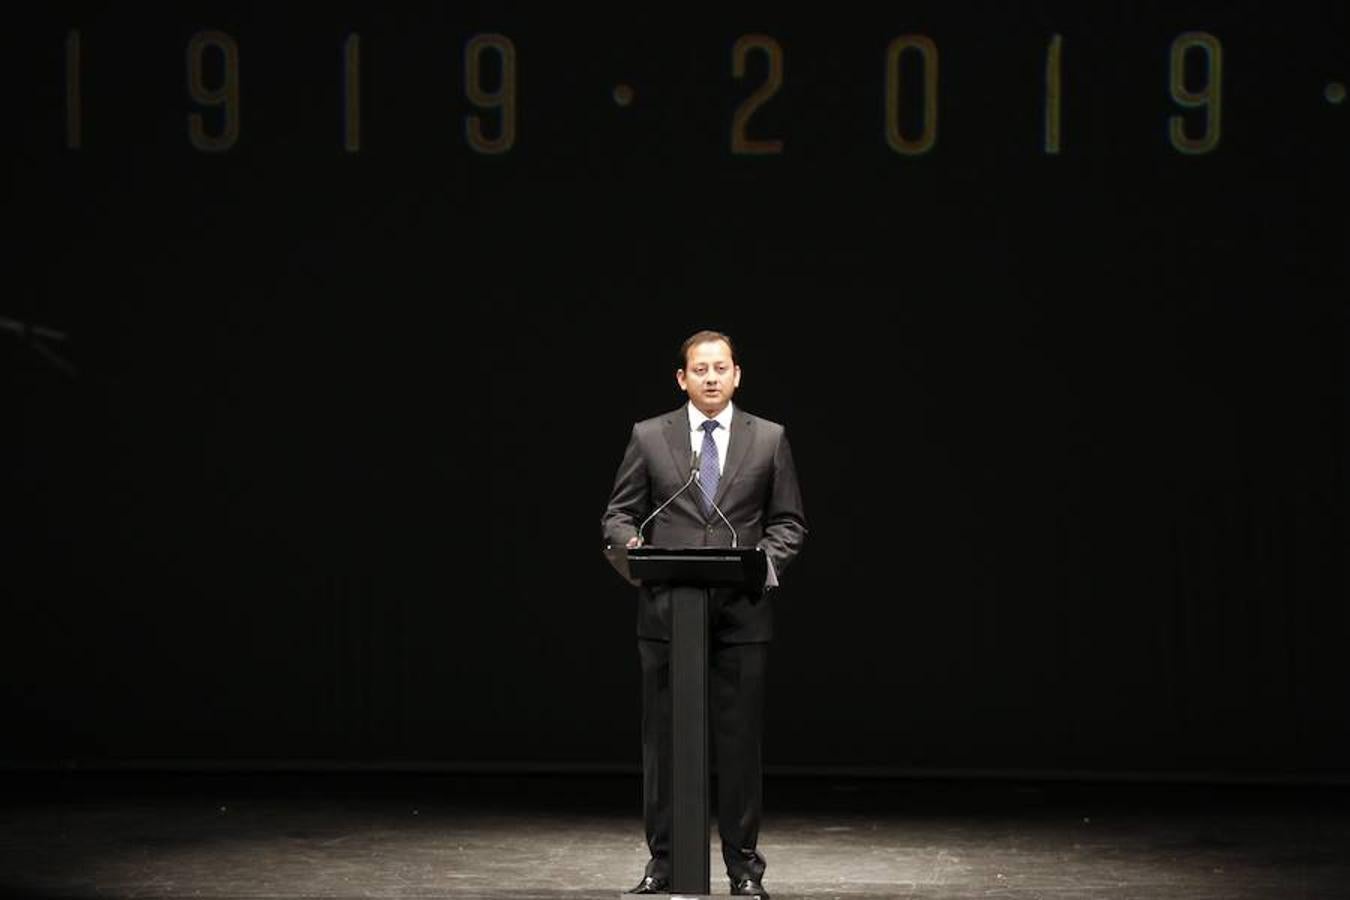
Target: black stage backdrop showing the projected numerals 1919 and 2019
{"x":362,"y":306}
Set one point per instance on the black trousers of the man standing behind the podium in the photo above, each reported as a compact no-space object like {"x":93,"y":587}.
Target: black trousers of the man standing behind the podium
{"x":736,"y":721}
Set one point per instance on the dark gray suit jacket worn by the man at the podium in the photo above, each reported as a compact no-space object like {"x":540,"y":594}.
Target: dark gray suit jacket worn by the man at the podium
{"x":758,"y":493}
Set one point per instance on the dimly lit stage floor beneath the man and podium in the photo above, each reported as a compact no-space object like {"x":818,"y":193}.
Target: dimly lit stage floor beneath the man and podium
{"x":524,"y":837}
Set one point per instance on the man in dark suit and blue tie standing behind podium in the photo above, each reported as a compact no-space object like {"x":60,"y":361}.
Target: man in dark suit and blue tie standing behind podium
{"x":746,"y":470}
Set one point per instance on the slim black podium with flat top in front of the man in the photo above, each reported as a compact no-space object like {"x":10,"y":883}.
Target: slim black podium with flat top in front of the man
{"x":691,"y":573}
